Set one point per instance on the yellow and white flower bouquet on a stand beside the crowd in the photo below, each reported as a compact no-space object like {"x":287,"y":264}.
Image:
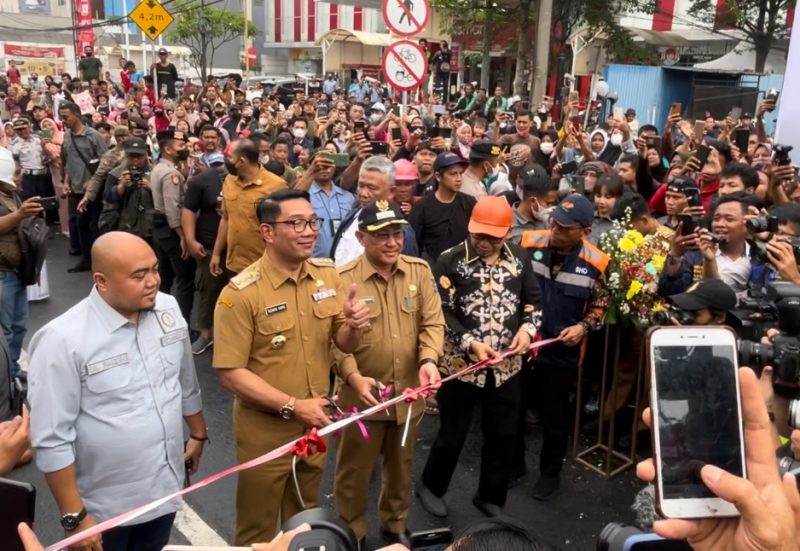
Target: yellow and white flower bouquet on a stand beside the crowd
{"x":634,"y":268}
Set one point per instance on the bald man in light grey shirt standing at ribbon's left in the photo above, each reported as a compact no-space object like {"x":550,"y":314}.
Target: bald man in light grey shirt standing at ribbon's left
{"x":110,"y":382}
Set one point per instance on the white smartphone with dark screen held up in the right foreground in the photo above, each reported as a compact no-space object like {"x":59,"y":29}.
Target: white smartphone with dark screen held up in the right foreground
{"x":697,"y":420}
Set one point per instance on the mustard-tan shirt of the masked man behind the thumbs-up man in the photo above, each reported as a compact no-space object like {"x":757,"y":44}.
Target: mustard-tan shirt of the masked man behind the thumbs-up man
{"x":239,"y":201}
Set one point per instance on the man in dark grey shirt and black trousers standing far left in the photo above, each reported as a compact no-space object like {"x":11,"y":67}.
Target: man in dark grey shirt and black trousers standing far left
{"x":81,"y":152}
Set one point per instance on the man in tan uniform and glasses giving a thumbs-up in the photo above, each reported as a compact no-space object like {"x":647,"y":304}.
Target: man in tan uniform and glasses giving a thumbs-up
{"x":273,"y":325}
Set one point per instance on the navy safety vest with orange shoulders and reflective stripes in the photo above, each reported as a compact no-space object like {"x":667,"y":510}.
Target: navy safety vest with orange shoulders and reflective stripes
{"x":566,"y":296}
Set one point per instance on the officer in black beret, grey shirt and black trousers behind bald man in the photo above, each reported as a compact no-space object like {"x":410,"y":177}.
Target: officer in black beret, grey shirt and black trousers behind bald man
{"x":167,"y":185}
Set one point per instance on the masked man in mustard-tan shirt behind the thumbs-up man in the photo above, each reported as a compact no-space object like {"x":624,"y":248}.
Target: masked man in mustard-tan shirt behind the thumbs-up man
{"x":247,"y":183}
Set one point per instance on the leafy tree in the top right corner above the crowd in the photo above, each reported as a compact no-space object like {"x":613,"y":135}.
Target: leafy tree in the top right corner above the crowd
{"x":763,"y":22}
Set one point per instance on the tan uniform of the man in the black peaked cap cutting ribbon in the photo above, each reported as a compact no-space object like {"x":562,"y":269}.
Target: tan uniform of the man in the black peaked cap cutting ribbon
{"x":407,"y":327}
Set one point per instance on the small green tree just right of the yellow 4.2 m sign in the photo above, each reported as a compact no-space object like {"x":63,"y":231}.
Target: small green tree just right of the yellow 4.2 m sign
{"x":205,"y":29}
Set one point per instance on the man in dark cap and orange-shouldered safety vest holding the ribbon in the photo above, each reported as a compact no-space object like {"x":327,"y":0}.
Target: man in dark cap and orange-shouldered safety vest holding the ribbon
{"x":569,"y":270}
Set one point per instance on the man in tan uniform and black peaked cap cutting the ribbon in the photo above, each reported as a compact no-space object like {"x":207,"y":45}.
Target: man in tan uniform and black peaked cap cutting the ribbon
{"x":401,"y":348}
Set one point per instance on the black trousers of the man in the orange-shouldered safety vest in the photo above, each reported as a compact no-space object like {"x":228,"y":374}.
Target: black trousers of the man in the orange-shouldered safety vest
{"x":556,"y":384}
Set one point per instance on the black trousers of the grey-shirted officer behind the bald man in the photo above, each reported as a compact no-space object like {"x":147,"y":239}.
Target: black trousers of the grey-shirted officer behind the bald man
{"x":175,"y":270}
